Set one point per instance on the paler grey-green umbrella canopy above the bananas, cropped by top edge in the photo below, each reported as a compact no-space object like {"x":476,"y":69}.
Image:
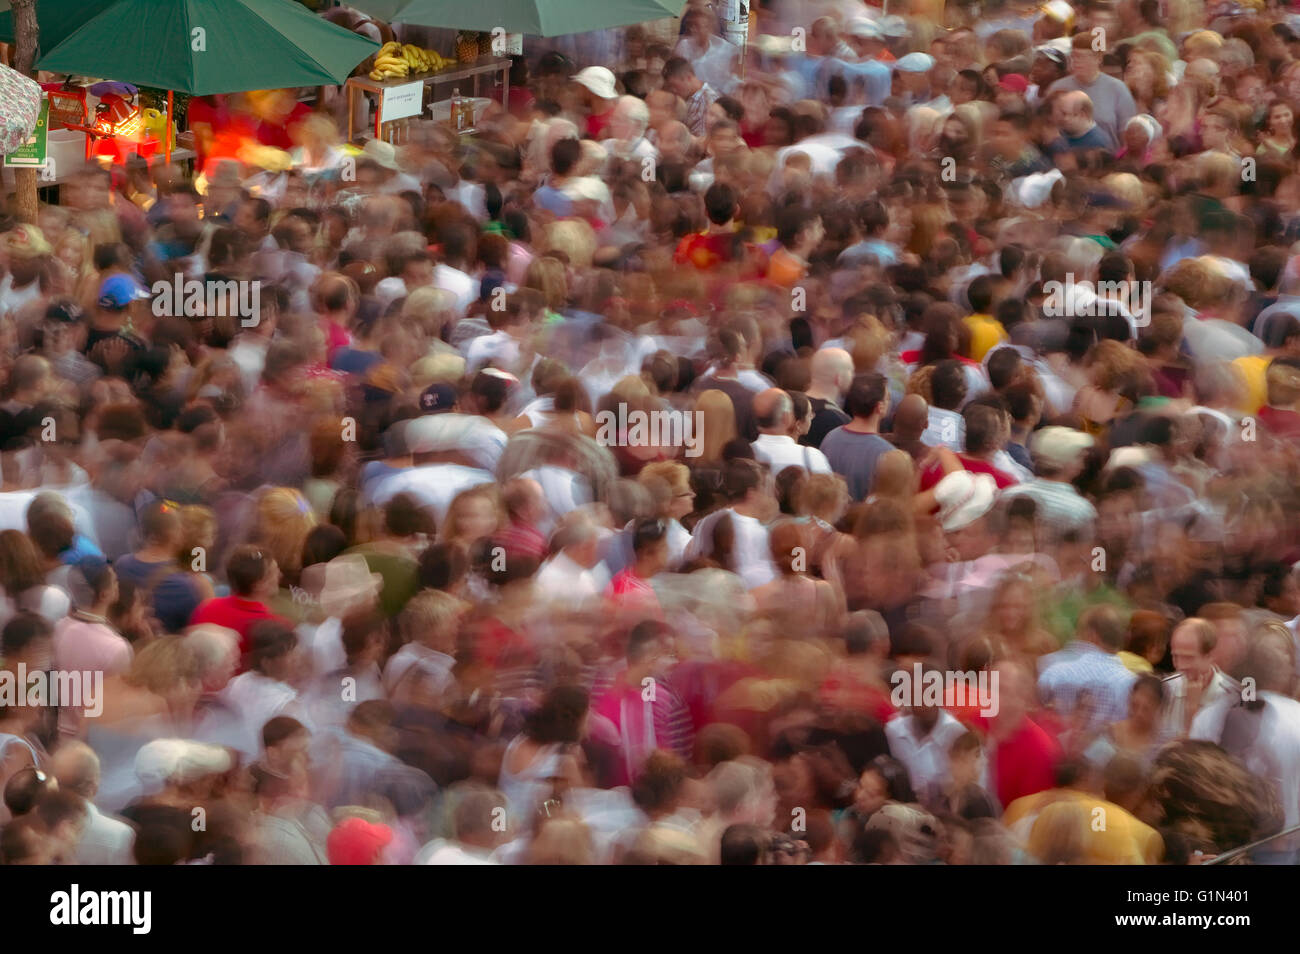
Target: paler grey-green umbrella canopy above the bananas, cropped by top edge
{"x":532,"y":18}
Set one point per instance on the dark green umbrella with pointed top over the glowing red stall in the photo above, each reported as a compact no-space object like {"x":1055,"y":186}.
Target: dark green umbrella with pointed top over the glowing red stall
{"x":205,"y":47}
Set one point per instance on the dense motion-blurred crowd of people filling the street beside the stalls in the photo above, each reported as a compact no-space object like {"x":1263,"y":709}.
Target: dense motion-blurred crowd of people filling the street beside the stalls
{"x":978,"y":332}
